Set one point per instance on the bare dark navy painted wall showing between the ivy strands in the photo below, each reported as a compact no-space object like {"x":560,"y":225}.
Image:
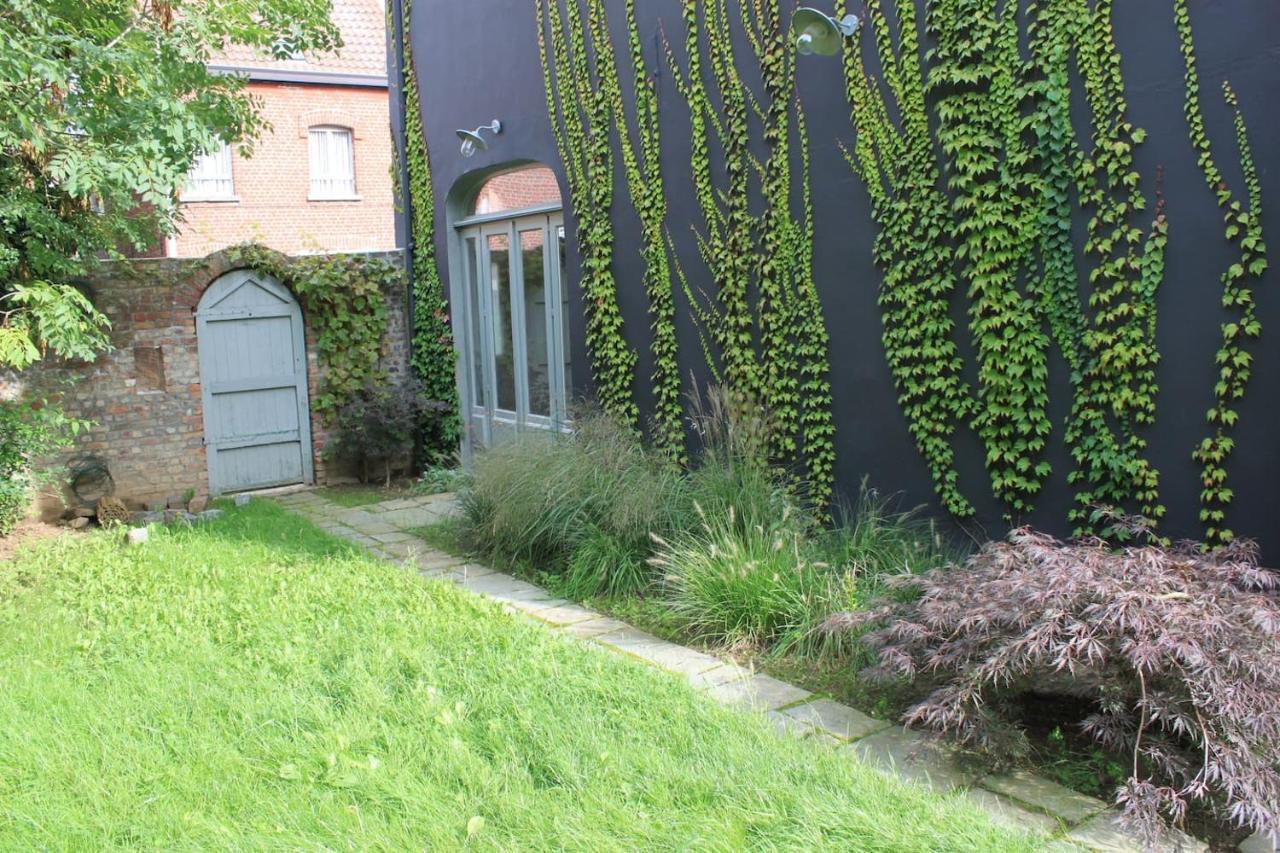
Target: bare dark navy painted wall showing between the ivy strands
{"x":478,"y":61}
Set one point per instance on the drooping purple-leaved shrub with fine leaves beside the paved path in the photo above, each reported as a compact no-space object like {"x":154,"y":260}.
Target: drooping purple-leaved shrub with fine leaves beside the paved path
{"x":1178,"y":651}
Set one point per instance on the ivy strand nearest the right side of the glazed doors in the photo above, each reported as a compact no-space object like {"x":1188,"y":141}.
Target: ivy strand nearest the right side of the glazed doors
{"x":583,"y":113}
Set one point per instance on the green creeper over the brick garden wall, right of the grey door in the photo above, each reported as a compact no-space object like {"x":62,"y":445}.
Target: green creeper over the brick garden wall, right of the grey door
{"x":345,"y":299}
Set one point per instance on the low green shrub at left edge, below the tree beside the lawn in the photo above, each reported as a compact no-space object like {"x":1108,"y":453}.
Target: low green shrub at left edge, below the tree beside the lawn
{"x":30,"y":431}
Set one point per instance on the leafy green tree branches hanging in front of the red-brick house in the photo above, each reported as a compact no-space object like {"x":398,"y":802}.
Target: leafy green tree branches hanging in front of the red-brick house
{"x":103,"y":110}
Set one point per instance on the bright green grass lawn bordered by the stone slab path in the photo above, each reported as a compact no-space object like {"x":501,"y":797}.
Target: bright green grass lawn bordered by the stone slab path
{"x":258,"y":685}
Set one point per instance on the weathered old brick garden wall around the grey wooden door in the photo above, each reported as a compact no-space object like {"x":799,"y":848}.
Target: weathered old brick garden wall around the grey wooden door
{"x":145,"y":395}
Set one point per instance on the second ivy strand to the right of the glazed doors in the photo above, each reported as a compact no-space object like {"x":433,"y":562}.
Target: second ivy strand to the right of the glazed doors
{"x":639,"y":143}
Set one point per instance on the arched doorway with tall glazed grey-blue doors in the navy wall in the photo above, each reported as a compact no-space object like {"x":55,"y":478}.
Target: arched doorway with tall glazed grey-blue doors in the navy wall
{"x":508,"y":257}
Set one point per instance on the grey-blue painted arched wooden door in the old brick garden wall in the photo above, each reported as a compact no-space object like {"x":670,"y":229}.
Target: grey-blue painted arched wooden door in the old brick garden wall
{"x":254,"y":385}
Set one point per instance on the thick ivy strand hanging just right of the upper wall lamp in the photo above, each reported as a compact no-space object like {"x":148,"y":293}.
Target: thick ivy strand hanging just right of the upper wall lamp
{"x":913,"y":217}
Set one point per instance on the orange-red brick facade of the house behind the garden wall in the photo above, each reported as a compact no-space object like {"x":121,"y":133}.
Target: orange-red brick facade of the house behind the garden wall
{"x":272,"y":189}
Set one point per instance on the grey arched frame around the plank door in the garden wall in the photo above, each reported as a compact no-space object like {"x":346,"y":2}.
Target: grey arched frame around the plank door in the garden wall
{"x":220,"y":290}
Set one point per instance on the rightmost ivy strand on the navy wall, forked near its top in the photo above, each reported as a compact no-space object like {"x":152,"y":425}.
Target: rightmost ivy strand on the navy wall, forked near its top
{"x":1245,"y":232}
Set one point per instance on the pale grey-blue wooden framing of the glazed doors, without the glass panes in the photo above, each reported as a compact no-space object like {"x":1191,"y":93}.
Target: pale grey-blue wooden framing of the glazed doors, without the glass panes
{"x":479,"y":419}
